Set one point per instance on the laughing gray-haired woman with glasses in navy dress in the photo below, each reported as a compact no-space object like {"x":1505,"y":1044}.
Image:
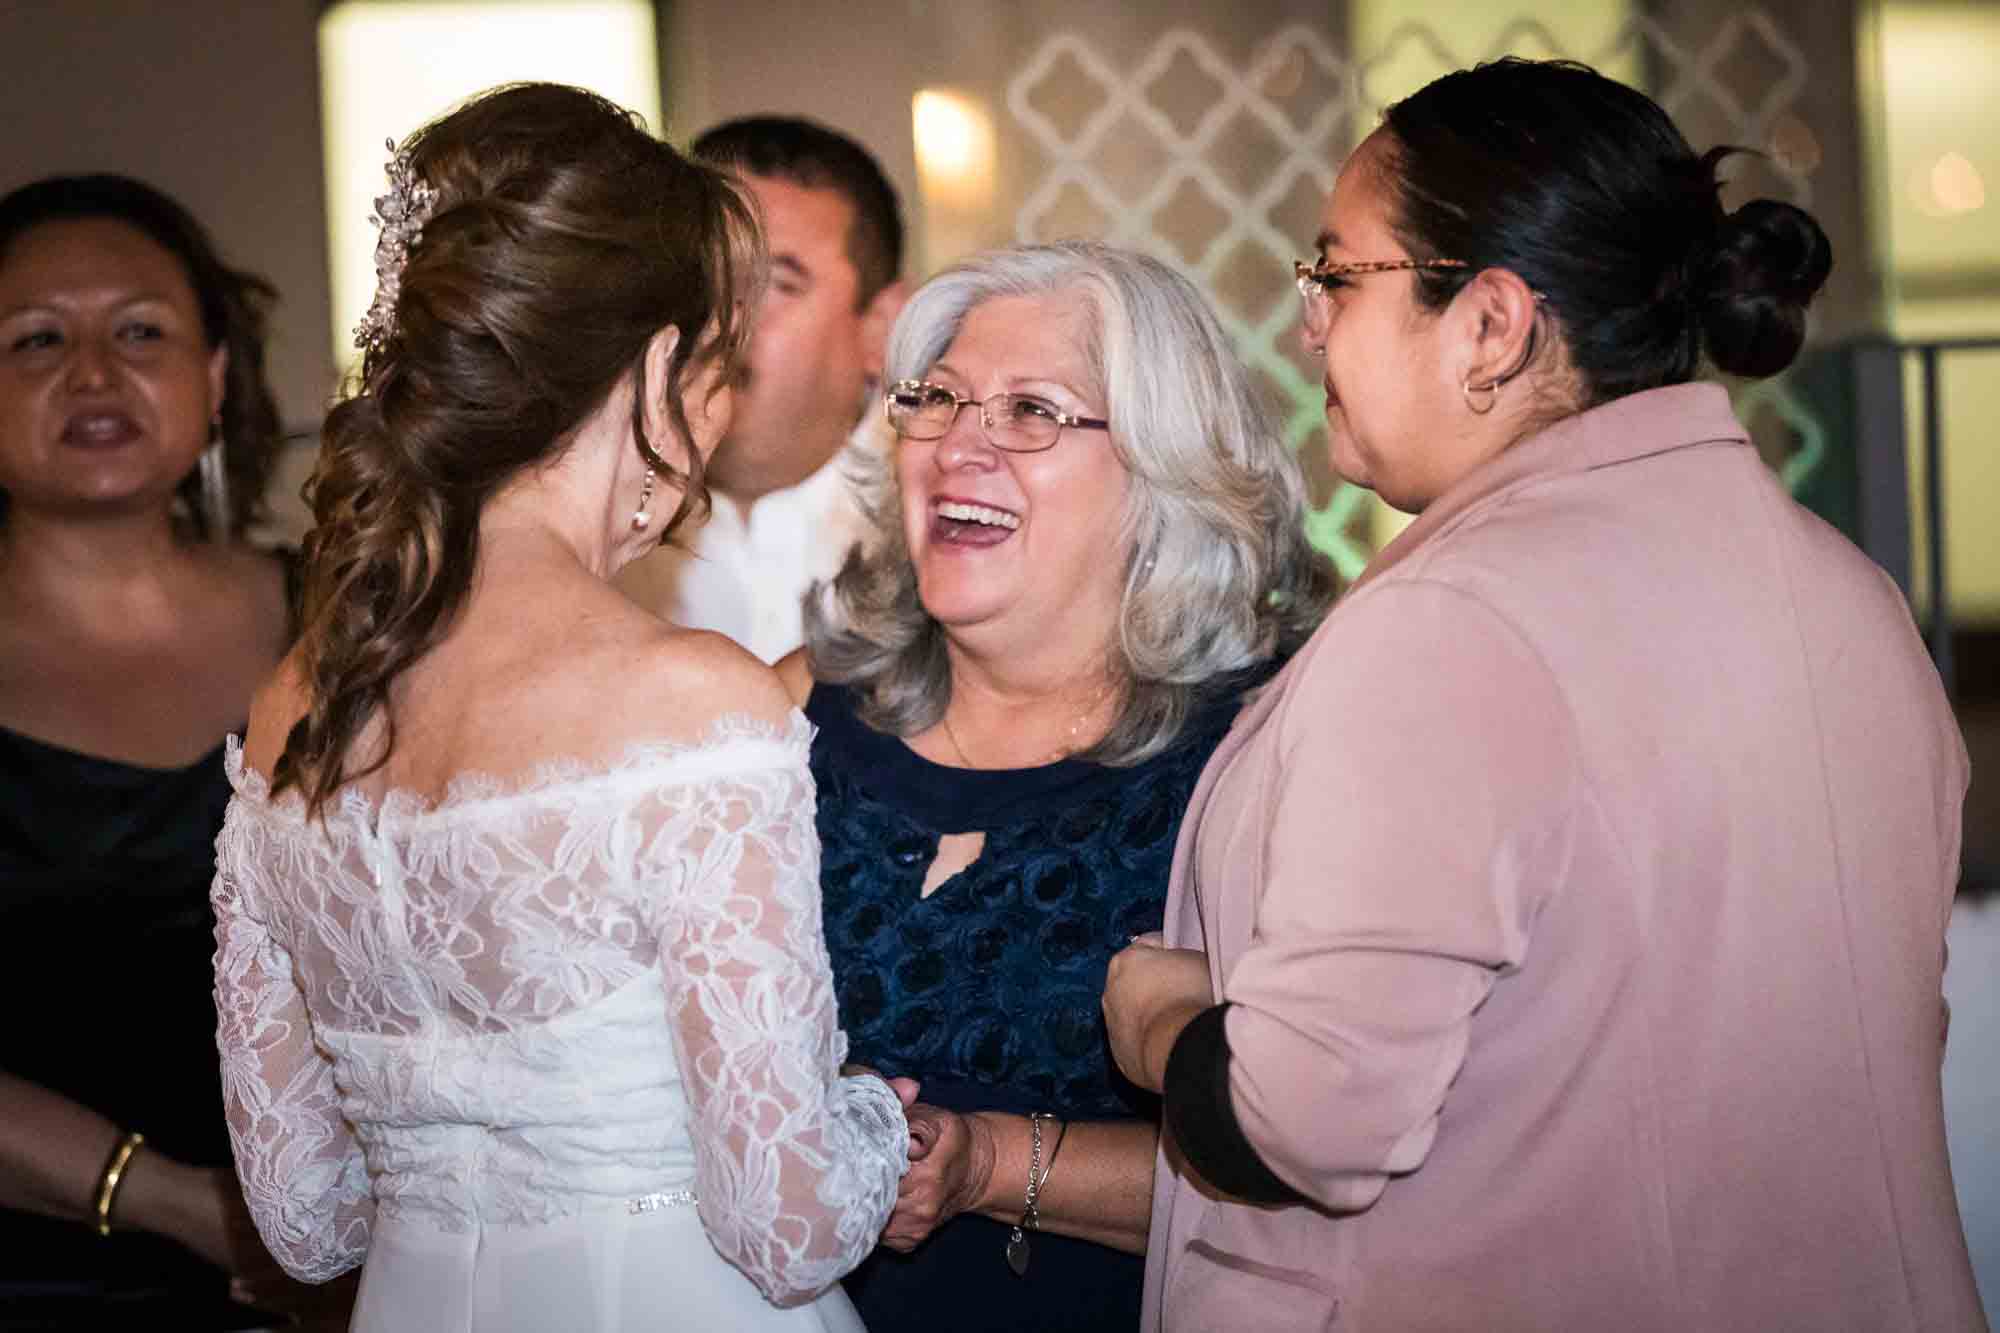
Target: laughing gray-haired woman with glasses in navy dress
{"x":1089,"y":547}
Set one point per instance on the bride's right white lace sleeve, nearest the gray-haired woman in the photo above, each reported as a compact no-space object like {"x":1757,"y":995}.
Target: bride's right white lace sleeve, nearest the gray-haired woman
{"x":797,"y":1168}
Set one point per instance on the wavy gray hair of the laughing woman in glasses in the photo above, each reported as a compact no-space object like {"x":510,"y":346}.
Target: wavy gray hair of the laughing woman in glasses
{"x":1219,"y":573}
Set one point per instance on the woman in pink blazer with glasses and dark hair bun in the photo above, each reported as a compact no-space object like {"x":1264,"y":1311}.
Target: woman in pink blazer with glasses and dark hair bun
{"x":1557,"y":944}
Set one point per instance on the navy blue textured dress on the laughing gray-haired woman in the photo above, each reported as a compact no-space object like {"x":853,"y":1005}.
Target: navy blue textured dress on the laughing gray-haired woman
{"x":989,"y":990}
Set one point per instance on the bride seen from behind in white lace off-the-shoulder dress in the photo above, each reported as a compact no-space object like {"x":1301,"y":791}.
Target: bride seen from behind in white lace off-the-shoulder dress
{"x":521,"y":982}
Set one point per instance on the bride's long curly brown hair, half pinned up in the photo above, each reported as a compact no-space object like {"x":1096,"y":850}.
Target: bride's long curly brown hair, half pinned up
{"x":563,"y":239}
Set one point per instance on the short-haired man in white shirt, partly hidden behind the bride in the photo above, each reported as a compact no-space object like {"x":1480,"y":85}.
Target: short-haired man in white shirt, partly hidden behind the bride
{"x":785,"y":505}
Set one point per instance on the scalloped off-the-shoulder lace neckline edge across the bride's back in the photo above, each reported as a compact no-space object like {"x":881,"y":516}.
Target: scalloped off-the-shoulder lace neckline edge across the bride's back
{"x":471,"y":792}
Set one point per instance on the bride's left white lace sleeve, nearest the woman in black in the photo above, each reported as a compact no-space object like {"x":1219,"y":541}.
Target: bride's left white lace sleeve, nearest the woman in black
{"x":297,"y":1158}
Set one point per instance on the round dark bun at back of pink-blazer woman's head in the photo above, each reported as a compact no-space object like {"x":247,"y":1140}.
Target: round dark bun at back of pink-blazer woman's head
{"x":1769,"y":263}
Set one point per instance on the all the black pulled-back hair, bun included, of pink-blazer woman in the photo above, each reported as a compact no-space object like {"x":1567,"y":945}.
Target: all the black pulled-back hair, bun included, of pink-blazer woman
{"x":1589,"y":193}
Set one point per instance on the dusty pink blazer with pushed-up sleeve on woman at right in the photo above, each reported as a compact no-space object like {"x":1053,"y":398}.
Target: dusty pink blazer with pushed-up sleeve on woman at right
{"x":1581,"y":894}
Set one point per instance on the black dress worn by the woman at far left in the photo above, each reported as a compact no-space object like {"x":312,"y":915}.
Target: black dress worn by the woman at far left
{"x":107,"y":992}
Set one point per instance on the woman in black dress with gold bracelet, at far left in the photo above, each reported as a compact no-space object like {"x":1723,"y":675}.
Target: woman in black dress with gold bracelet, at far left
{"x":137,"y":435}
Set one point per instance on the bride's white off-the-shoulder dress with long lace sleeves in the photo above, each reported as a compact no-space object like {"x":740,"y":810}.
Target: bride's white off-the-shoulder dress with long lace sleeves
{"x":553,"y":1056}
